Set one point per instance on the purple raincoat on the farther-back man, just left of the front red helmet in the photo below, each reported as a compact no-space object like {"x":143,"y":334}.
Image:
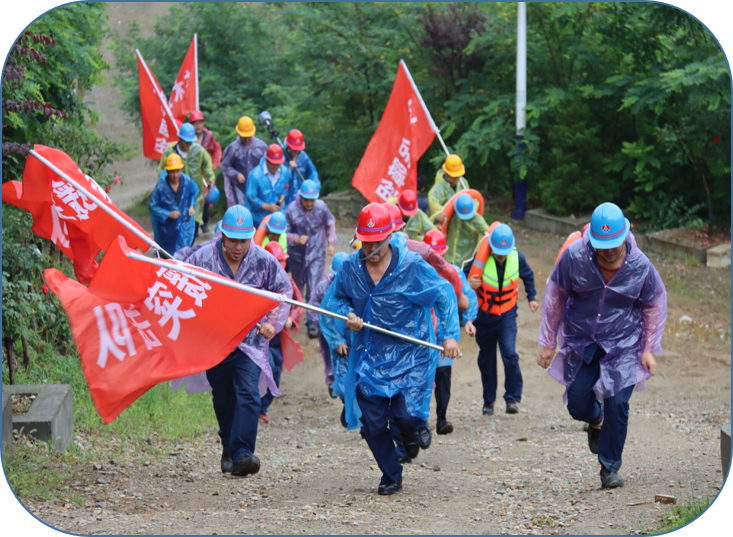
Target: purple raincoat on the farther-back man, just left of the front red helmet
{"x":308,"y":262}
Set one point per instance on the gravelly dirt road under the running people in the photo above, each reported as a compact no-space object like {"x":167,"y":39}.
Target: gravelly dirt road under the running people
{"x":529,"y":473}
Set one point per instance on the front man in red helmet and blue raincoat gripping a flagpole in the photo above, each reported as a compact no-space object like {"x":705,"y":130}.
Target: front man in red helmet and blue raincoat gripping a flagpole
{"x":390,"y":378}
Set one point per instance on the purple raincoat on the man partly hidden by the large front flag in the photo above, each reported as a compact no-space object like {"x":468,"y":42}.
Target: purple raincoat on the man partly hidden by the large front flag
{"x":258,"y":269}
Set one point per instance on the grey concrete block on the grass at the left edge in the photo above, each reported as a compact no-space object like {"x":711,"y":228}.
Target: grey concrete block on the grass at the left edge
{"x":50,"y":417}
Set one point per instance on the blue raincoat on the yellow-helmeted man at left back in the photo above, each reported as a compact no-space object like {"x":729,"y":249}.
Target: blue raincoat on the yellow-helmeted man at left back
{"x":173,"y":234}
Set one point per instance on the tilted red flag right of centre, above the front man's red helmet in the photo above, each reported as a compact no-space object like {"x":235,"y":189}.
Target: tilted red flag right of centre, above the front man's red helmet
{"x":406,"y":130}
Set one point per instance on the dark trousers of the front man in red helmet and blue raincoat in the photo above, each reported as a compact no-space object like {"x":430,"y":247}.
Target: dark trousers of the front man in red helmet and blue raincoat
{"x":379,"y":415}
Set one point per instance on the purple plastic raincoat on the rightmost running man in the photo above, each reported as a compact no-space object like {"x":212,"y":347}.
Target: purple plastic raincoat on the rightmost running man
{"x":624,"y":317}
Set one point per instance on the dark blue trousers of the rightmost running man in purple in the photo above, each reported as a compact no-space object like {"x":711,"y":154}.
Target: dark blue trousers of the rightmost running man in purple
{"x":583,"y":406}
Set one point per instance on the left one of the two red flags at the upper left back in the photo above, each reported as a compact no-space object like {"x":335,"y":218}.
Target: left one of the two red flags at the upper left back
{"x":159,"y":127}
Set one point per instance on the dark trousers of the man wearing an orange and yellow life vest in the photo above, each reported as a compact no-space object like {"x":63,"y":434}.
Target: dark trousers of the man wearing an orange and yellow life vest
{"x":504,"y":332}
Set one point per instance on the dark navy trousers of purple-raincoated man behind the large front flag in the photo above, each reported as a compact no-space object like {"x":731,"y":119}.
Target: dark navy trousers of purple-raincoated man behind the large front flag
{"x":234,"y":384}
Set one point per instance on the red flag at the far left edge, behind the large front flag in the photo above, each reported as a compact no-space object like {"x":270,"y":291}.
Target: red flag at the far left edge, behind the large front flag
{"x":65,"y":215}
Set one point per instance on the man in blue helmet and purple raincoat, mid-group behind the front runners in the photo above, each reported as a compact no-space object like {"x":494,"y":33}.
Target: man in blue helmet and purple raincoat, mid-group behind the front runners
{"x":311,"y":236}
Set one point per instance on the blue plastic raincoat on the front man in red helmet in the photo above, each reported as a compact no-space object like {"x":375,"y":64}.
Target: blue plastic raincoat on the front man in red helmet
{"x":381,"y":365}
